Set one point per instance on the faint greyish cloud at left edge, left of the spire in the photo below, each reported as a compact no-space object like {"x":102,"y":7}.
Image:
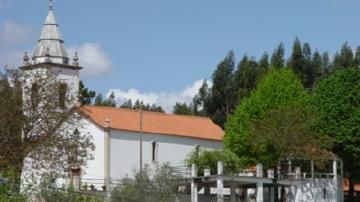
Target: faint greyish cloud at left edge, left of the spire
{"x":13,"y":33}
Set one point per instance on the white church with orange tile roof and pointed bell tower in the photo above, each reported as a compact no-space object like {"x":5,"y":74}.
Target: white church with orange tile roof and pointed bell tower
{"x":124,"y":139}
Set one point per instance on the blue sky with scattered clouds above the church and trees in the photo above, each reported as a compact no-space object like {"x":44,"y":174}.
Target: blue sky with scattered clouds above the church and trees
{"x":158,"y":49}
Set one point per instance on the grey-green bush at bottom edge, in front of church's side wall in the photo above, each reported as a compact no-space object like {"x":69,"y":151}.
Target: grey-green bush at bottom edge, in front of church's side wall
{"x":147,"y":186}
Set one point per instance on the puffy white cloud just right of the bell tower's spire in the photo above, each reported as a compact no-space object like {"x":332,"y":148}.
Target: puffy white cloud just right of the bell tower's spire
{"x":93,"y":58}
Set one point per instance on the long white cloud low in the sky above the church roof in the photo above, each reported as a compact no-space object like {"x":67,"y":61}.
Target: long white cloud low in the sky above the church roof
{"x":164,"y":99}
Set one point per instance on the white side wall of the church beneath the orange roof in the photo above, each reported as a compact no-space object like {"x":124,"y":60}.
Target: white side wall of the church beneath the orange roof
{"x":125,"y":150}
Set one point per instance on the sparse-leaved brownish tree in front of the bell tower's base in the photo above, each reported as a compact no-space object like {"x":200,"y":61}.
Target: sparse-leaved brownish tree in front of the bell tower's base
{"x":33,"y":127}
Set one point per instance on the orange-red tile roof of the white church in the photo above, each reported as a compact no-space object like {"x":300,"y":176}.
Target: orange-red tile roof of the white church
{"x":154,"y":122}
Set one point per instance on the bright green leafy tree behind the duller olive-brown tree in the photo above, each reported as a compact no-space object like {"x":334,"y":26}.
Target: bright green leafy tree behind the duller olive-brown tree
{"x":278,"y":88}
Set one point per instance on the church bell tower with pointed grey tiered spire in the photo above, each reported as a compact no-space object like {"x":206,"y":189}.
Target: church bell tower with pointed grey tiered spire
{"x":51,"y":58}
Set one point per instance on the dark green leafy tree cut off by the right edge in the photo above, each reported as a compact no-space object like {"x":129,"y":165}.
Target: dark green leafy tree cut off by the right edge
{"x":337,"y":98}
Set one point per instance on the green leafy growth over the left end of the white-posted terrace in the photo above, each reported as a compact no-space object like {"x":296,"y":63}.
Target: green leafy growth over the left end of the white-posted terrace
{"x":207,"y":159}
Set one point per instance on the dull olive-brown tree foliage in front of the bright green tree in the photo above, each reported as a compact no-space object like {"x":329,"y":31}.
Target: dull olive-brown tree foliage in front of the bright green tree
{"x":288,"y":132}
